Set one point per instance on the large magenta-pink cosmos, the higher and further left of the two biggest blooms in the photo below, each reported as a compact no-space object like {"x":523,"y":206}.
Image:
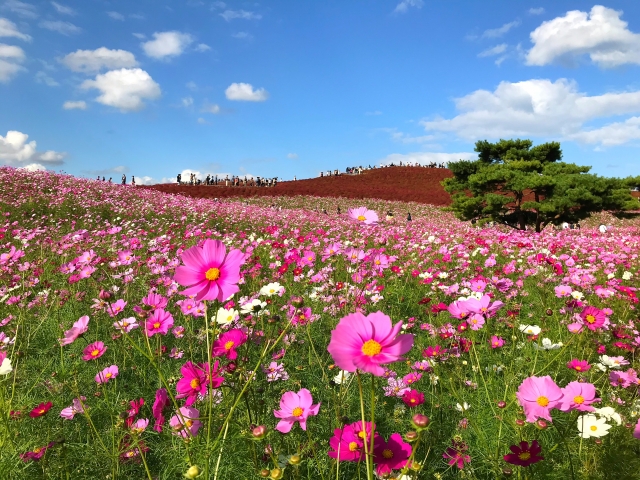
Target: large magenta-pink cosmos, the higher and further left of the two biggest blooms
{"x":209,"y":271}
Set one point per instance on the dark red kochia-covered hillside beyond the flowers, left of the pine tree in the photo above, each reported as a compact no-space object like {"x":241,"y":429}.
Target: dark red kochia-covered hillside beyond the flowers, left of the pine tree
{"x":405,"y":184}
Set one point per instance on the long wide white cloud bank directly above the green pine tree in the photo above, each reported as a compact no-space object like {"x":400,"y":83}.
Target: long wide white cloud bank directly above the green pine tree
{"x":541,"y":108}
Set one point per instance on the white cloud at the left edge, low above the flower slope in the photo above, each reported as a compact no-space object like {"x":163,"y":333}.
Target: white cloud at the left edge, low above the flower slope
{"x":17,"y":152}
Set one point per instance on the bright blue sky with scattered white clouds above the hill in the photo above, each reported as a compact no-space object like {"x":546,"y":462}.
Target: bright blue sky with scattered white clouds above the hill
{"x":282,"y":88}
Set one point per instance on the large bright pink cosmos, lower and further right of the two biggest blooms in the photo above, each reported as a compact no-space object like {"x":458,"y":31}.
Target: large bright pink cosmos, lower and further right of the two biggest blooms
{"x":366,"y":343}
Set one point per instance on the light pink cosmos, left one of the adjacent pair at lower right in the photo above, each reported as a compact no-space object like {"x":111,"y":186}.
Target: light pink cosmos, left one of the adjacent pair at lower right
{"x":538,"y":396}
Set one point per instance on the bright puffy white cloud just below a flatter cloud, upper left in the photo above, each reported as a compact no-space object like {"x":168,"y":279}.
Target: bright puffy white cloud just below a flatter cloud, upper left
{"x":125,"y":89}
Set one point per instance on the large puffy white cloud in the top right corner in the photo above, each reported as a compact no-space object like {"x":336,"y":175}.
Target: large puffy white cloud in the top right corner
{"x":601,"y":34}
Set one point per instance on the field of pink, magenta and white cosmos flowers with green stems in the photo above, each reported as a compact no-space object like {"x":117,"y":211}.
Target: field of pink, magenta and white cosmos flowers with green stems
{"x":146,"y":335}
